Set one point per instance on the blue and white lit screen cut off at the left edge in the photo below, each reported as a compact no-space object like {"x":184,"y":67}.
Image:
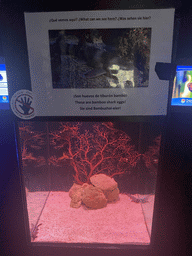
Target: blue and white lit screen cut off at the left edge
{"x":4,"y":98}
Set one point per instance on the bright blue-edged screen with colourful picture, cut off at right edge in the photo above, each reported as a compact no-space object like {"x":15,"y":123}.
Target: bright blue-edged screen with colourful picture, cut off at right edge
{"x":182,"y":87}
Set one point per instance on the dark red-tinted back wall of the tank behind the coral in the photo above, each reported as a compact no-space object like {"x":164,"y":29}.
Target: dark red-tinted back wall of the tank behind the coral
{"x":48,"y":165}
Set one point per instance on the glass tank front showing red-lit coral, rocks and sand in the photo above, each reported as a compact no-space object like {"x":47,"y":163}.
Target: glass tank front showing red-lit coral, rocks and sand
{"x":90,"y":182}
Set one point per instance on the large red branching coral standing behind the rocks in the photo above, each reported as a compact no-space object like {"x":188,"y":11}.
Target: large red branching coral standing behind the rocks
{"x":100,"y":148}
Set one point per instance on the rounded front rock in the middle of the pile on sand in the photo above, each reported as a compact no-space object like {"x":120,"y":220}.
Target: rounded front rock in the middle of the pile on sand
{"x":94,"y":198}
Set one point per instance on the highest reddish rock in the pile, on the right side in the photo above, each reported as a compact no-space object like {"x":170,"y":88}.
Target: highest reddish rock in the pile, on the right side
{"x":107,"y":184}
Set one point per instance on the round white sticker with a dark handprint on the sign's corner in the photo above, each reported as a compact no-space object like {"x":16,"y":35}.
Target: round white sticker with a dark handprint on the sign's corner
{"x":22,"y":104}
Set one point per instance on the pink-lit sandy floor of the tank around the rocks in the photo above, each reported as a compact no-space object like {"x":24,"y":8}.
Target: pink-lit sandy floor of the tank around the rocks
{"x":120,"y":222}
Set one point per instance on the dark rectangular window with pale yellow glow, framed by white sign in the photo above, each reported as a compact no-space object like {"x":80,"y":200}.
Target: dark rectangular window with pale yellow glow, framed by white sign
{"x":100,"y":58}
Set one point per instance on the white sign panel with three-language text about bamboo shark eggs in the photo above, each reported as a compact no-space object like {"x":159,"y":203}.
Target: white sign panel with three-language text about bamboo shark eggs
{"x":99,"y":63}
